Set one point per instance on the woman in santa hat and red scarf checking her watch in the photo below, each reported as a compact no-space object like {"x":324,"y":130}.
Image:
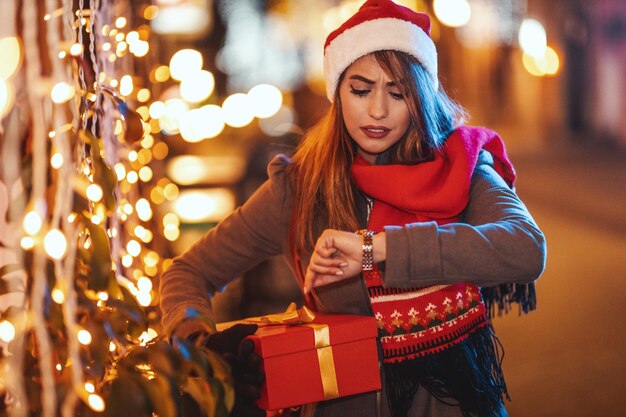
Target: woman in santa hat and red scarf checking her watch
{"x":436,"y":218}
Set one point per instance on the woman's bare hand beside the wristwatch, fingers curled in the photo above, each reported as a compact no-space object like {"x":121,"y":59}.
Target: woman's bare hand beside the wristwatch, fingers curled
{"x":337,"y":256}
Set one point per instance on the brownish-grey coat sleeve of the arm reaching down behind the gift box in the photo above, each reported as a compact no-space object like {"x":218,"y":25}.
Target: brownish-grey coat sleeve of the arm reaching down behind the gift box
{"x":252,"y":233}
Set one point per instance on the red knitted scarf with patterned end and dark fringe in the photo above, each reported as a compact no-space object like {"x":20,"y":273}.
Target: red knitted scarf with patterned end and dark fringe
{"x":437,"y":337}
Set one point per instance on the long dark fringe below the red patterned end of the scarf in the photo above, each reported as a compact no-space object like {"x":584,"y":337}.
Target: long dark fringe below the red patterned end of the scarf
{"x":468,"y":375}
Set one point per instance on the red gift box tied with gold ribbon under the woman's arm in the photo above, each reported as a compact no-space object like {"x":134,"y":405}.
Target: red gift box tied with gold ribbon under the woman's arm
{"x":335,"y":355}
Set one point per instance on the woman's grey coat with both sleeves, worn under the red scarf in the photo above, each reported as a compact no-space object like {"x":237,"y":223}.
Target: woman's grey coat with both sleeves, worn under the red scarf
{"x":496,"y":242}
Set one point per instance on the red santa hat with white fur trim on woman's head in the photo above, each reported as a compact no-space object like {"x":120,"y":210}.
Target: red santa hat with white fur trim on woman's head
{"x":378,"y":25}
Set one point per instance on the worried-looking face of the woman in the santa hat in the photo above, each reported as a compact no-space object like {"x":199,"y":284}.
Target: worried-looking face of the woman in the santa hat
{"x":373,"y":107}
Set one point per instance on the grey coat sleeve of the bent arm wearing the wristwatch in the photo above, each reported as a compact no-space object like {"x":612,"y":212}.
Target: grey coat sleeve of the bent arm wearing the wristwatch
{"x":496,"y":242}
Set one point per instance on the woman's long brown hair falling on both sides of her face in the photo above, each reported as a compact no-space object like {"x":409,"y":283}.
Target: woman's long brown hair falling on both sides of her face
{"x":323,"y":187}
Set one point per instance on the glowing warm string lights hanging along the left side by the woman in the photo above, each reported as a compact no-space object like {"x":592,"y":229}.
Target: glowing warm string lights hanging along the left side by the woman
{"x":91,"y":214}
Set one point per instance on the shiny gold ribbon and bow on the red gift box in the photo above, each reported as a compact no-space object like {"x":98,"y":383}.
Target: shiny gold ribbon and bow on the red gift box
{"x":304,"y":317}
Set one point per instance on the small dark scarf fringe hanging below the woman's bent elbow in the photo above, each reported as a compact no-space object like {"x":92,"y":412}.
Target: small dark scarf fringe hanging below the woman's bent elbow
{"x":500,"y":298}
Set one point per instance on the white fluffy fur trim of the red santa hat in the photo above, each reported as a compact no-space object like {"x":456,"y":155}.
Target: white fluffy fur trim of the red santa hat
{"x":376,"y":35}
